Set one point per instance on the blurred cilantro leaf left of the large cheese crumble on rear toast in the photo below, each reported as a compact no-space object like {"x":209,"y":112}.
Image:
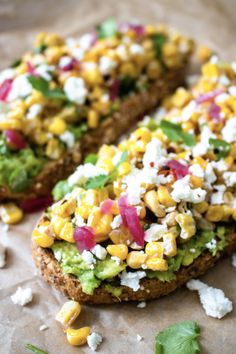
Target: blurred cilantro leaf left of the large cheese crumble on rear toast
{"x":42,"y":85}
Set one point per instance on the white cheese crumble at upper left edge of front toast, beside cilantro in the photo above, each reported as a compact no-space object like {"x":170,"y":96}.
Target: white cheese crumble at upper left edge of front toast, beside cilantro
{"x":83,"y":172}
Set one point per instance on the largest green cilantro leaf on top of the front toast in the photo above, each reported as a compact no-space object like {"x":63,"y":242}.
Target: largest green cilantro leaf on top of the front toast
{"x":175,"y":133}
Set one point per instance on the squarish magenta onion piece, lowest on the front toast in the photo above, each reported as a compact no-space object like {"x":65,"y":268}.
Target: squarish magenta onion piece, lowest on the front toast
{"x":84,"y":238}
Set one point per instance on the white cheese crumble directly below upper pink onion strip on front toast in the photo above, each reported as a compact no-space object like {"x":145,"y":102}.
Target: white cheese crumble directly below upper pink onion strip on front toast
{"x":183,"y":192}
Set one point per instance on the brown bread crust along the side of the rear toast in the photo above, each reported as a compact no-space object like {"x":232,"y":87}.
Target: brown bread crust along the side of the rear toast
{"x":108,"y":132}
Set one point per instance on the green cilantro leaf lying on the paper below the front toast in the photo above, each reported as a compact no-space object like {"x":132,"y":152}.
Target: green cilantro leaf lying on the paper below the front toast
{"x":180,"y":338}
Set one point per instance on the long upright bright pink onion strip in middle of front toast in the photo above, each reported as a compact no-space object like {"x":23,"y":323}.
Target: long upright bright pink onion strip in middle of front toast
{"x":131,"y":220}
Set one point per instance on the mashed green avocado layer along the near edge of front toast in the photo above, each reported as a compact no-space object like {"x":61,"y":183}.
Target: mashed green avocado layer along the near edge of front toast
{"x":107,"y":270}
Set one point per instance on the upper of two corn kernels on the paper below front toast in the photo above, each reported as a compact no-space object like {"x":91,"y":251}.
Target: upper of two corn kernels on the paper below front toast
{"x":68,"y":313}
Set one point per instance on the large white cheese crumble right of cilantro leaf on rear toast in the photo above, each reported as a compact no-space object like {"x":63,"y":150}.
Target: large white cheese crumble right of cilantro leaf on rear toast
{"x":75,"y":90}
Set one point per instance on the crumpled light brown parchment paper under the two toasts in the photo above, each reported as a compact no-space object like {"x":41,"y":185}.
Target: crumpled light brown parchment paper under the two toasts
{"x":124,"y":327}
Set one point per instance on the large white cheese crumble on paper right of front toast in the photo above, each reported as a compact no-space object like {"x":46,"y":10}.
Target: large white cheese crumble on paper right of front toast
{"x":213,"y":300}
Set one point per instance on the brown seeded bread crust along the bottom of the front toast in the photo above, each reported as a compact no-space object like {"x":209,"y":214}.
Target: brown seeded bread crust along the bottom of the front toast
{"x":150,"y":289}
